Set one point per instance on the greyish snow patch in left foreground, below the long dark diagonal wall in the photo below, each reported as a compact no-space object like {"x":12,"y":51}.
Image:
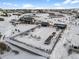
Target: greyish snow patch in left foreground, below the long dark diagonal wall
{"x":22,"y":54}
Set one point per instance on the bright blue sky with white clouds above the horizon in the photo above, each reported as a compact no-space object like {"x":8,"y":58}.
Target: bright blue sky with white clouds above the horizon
{"x":39,"y":4}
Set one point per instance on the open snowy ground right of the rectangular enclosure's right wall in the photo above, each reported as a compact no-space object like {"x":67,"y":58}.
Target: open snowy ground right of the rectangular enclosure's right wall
{"x":71,"y":34}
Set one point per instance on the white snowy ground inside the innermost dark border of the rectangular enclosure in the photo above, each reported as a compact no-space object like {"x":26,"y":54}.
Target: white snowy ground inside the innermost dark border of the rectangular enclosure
{"x":43,"y":33}
